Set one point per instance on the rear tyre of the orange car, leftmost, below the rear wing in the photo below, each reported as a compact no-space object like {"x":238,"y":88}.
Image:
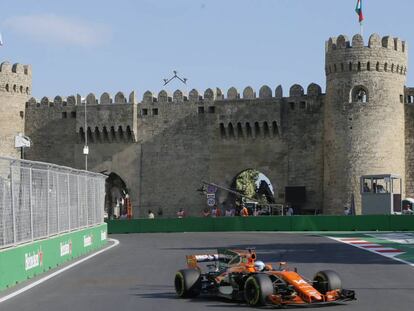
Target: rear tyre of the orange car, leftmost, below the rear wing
{"x":187,"y":283}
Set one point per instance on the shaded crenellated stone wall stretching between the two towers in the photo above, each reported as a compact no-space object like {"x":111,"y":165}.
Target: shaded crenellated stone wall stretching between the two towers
{"x":166,"y":145}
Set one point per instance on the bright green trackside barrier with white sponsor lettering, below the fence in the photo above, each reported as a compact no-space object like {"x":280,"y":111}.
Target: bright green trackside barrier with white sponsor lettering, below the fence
{"x":28,"y":260}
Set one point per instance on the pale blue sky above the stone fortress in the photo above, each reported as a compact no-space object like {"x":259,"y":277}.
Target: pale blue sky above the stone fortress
{"x":95,"y":46}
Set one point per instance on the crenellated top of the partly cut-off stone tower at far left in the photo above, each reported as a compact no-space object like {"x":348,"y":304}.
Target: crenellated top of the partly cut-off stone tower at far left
{"x":16,"y":78}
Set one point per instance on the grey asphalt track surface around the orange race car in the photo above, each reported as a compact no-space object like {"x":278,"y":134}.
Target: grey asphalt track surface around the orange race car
{"x":138,"y":274}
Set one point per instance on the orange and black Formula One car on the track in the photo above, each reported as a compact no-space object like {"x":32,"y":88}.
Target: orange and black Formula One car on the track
{"x":237,"y":275}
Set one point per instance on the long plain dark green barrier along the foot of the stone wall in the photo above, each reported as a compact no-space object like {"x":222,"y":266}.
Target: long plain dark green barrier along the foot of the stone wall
{"x":265,"y":223}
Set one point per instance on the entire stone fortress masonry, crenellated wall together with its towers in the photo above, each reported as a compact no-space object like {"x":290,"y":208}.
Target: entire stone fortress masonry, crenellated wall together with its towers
{"x":165,"y":145}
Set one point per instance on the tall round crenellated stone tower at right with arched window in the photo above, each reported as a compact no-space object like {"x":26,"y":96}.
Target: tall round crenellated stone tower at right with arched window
{"x":364,"y":115}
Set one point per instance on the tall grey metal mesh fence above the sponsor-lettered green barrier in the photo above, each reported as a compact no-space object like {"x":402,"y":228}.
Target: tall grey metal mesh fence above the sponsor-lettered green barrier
{"x":38,"y":200}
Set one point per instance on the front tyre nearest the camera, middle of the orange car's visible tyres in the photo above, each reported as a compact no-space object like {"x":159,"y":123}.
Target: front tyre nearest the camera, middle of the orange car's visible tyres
{"x":257,"y":288}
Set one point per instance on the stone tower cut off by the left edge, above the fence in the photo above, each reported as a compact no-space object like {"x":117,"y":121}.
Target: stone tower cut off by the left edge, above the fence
{"x":15,"y":90}
